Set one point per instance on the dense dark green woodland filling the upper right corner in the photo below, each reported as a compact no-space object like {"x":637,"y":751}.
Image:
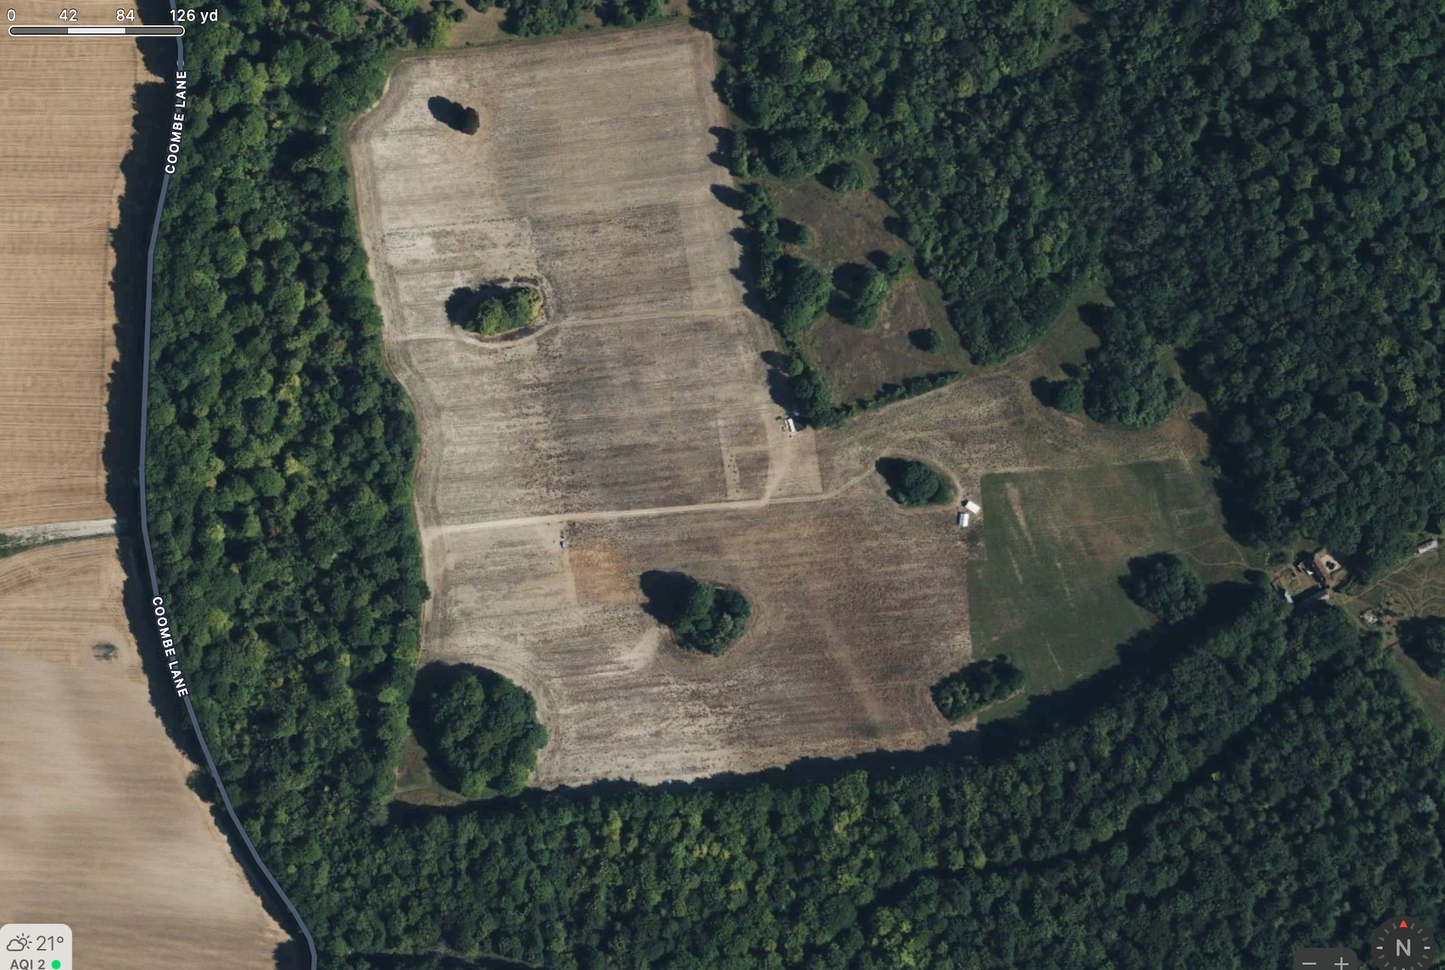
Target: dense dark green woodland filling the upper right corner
{"x":1258,"y":186}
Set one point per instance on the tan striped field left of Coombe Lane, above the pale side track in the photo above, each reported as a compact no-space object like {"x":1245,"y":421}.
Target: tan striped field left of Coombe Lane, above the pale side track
{"x":67,"y":106}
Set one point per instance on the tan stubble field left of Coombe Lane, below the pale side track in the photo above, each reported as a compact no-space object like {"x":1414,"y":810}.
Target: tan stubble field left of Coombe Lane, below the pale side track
{"x":98,"y":825}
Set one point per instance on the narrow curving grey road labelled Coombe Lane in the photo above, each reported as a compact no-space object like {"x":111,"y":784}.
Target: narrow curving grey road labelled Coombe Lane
{"x":163,"y":622}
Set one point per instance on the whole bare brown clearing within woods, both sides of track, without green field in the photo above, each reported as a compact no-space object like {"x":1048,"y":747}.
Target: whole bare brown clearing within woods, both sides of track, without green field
{"x":637,"y":424}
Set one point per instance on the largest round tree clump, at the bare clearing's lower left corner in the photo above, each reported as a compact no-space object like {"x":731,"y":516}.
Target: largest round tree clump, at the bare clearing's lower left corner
{"x":480,"y":731}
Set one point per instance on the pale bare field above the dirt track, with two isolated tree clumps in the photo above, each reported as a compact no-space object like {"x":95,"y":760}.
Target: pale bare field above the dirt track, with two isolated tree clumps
{"x":590,"y":174}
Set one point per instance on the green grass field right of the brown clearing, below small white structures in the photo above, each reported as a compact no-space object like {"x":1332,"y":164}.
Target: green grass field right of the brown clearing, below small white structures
{"x":1057,"y":544}
